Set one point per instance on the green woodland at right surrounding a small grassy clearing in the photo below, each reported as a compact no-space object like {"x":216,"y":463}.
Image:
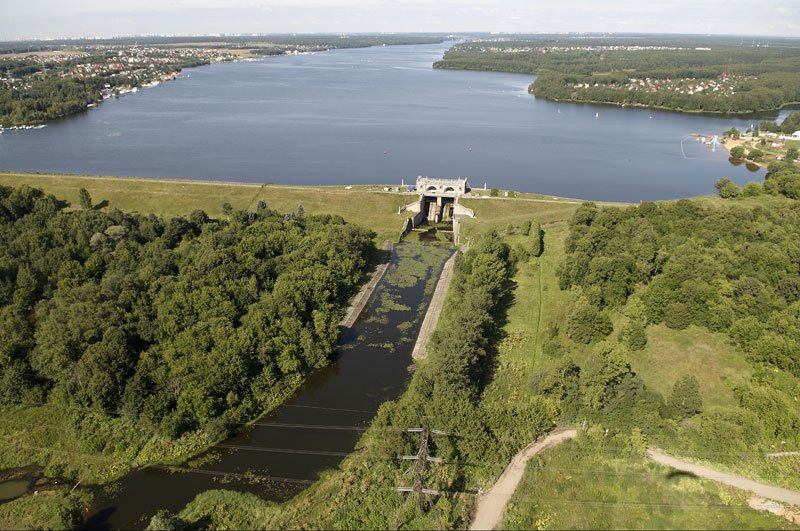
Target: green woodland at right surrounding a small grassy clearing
{"x":731,"y":269}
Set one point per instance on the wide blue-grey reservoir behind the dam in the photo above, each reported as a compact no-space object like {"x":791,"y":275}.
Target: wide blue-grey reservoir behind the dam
{"x":379,"y":115}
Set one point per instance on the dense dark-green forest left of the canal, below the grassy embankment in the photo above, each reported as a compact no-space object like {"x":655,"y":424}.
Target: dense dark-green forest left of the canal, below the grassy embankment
{"x":171,"y":325}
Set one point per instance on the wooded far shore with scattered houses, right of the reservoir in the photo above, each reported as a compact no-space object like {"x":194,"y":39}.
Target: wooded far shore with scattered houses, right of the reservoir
{"x":687,"y":76}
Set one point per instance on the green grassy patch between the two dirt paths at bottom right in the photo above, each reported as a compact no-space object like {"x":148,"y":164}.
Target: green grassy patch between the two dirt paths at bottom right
{"x":571,"y":488}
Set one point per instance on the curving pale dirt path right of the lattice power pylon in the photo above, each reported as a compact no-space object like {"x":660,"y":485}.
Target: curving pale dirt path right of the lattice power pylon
{"x":491,"y":505}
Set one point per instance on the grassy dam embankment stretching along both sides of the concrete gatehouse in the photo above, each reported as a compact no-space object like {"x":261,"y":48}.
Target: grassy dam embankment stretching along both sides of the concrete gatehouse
{"x":368,"y":206}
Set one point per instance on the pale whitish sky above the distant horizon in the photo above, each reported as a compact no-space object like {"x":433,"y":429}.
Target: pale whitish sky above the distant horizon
{"x":22,"y":19}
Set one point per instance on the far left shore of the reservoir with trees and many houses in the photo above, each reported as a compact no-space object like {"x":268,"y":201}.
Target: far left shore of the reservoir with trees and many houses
{"x":90,"y":71}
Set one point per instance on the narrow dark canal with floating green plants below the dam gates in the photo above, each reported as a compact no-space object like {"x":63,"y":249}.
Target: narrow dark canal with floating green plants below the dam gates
{"x":286,"y":450}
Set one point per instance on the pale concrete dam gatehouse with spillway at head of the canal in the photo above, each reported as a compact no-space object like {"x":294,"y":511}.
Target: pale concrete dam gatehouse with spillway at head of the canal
{"x":438,"y":205}
